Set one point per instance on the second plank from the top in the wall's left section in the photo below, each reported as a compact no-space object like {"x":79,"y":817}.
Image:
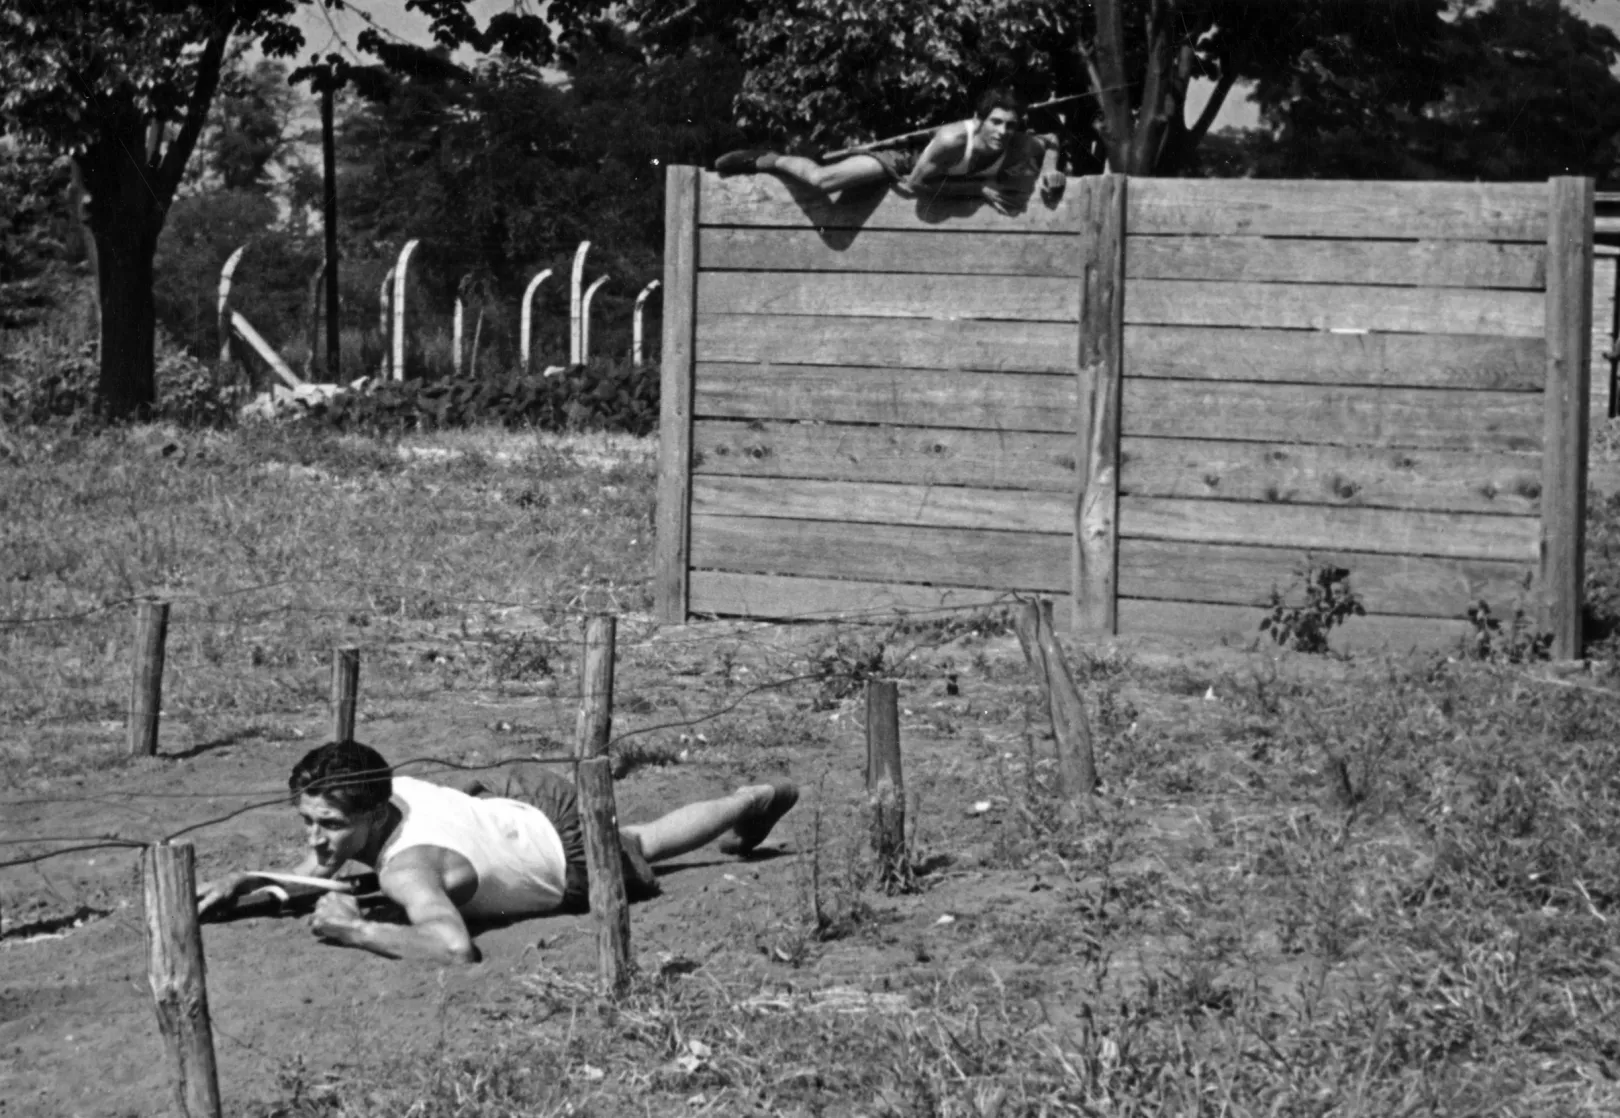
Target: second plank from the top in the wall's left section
{"x":937,"y":252}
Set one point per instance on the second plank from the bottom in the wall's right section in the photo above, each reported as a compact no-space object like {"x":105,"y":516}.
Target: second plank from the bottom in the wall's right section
{"x":1237,"y":574}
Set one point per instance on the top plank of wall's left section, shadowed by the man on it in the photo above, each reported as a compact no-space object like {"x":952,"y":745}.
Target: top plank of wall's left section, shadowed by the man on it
{"x":767,"y":200}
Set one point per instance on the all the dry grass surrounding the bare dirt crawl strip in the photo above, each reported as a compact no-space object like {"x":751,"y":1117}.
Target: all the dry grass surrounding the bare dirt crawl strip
{"x":1381,"y":887}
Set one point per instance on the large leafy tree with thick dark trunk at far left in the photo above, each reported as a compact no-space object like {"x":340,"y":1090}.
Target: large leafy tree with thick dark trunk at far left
{"x":126,"y":88}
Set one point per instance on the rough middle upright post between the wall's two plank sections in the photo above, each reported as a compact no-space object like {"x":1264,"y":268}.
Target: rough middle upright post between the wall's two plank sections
{"x":1101,"y":369}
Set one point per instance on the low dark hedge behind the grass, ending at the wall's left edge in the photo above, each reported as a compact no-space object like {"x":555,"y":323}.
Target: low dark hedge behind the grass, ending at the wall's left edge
{"x":586,"y":398}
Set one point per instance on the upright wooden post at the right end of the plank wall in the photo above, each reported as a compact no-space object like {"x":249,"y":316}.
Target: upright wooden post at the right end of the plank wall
{"x":1569,"y":380}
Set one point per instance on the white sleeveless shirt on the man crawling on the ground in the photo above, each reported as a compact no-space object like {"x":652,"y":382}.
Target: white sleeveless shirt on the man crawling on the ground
{"x":513,"y":847}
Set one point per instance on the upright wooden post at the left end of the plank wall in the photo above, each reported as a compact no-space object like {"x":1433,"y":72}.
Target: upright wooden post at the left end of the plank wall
{"x":675,"y":425}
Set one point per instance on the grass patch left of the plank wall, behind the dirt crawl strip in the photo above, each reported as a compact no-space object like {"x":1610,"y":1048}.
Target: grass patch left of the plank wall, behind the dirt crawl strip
{"x":273,"y":545}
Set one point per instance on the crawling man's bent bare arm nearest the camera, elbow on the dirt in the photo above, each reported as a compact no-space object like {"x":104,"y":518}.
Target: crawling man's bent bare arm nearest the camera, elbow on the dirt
{"x":416,"y":881}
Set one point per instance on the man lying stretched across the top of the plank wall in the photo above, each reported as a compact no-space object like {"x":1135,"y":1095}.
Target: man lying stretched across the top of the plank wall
{"x":987,"y":156}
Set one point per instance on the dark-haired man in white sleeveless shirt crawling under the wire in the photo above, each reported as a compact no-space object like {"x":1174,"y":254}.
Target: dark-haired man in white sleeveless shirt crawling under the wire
{"x":446,"y":855}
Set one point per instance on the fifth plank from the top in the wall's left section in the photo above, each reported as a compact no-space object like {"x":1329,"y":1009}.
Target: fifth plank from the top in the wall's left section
{"x":914,"y":398}
